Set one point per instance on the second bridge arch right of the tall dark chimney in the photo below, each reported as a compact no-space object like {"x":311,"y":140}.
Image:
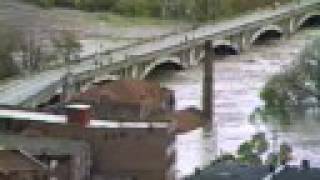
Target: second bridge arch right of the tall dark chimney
{"x":274,"y":31}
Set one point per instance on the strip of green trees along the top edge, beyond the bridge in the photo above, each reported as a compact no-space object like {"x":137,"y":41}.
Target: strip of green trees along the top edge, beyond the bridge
{"x":199,"y":10}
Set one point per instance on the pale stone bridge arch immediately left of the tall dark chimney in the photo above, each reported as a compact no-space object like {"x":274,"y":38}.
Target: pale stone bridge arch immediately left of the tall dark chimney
{"x":151,"y":67}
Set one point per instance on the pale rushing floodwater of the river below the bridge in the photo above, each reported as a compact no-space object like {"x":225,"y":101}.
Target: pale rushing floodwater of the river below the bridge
{"x":238,"y":82}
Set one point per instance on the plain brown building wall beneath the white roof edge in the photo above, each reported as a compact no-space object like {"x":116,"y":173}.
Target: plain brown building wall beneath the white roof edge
{"x":134,"y":153}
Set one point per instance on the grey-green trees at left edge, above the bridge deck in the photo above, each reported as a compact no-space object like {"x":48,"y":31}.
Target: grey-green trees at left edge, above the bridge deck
{"x":27,"y":51}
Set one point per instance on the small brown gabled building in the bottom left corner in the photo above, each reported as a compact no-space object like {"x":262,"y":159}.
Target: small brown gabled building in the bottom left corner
{"x":18,"y":165}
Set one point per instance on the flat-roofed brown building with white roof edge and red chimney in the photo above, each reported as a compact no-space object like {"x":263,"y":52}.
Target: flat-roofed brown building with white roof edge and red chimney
{"x":120,"y":150}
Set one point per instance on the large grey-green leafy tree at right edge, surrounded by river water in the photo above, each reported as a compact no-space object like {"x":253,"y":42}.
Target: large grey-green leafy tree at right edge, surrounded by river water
{"x":298,"y":85}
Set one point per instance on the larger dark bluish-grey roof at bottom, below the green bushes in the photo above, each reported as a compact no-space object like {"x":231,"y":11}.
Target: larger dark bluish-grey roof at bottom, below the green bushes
{"x":231,"y":171}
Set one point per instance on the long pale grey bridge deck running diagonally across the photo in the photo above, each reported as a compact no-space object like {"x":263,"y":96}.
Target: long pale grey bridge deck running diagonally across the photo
{"x":22,"y":89}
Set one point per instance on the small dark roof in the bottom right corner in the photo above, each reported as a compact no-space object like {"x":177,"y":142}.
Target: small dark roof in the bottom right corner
{"x":294,"y":173}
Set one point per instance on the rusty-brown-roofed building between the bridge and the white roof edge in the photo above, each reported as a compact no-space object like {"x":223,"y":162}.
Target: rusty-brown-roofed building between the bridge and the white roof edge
{"x":111,"y":107}
